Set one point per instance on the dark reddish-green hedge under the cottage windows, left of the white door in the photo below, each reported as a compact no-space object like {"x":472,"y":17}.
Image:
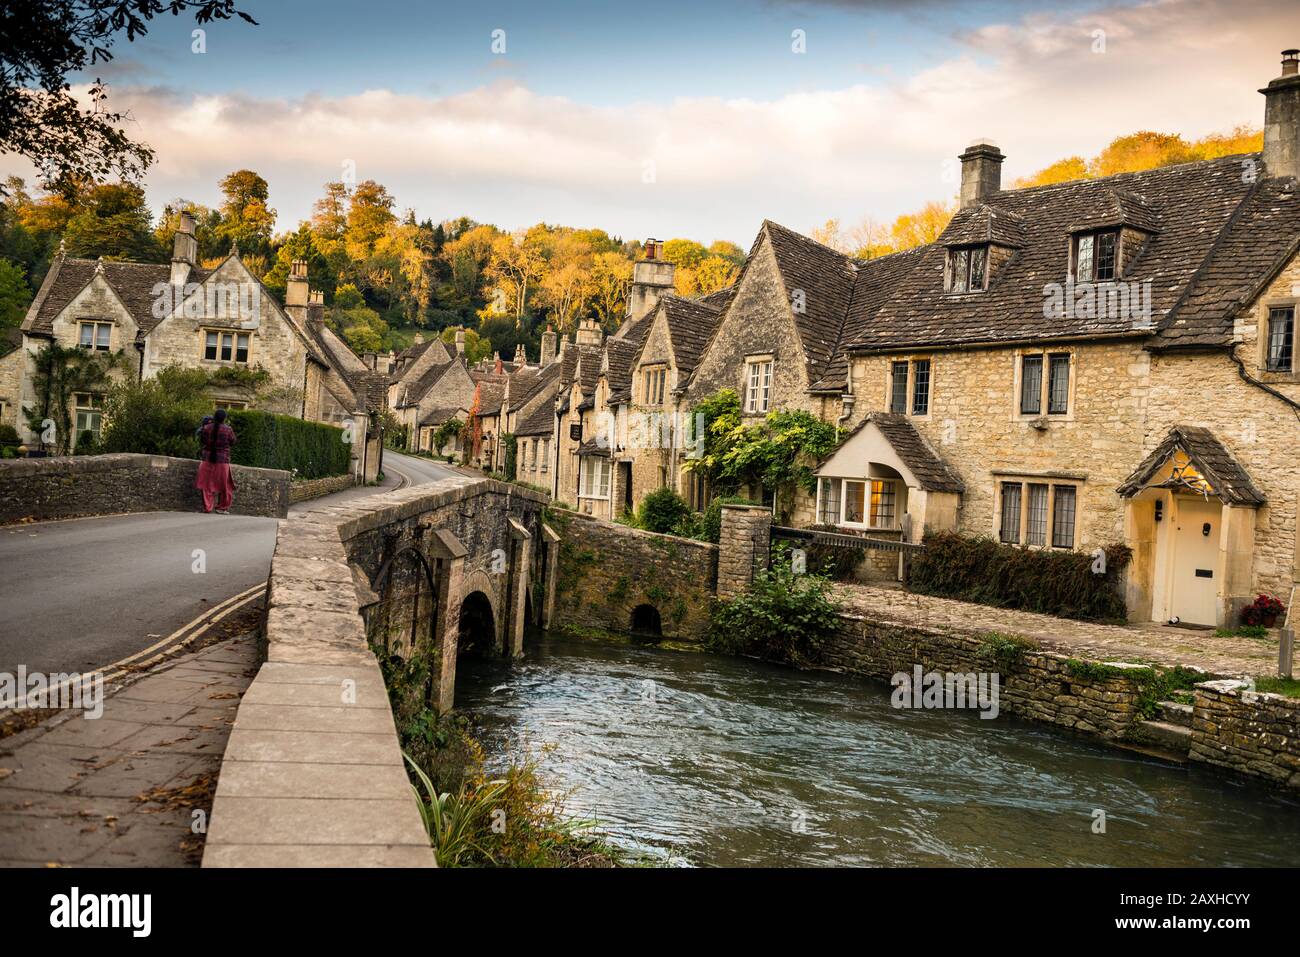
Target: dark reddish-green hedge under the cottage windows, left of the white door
{"x":1009,"y":577}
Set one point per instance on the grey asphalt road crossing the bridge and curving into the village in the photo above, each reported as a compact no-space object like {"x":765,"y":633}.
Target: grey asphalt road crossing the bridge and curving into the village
{"x":80,"y":595}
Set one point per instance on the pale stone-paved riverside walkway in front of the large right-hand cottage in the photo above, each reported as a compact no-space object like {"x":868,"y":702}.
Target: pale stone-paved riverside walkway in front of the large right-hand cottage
{"x":1136,"y":644}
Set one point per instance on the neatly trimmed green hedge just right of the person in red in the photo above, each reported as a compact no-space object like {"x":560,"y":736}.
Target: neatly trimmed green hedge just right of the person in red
{"x":281,"y":441}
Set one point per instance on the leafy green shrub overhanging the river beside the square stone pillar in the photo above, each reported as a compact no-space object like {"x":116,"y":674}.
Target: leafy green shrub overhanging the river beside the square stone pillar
{"x":782,"y":618}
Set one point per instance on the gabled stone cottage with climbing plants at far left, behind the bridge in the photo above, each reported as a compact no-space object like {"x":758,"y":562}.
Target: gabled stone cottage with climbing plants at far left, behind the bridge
{"x":150,"y":317}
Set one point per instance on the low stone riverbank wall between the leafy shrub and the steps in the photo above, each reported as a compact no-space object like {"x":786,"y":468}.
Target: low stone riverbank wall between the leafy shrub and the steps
{"x":1039,"y":687}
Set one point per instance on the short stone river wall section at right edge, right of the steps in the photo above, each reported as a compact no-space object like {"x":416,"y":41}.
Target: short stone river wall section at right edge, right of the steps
{"x":1247,"y":733}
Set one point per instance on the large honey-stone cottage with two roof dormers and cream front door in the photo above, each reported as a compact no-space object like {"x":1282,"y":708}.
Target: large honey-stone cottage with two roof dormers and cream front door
{"x":1094,"y":362}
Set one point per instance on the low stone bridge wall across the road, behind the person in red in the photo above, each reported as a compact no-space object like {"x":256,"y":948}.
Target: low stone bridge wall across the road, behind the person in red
{"x":75,"y":487}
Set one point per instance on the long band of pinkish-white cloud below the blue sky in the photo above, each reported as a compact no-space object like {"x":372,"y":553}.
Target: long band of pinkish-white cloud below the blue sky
{"x":510,"y":155}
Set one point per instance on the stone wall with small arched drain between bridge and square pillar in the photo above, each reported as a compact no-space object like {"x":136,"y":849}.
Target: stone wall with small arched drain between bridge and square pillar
{"x":609,"y":570}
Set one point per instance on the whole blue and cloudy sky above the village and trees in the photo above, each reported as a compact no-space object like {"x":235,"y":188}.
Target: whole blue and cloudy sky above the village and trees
{"x":677,"y":119}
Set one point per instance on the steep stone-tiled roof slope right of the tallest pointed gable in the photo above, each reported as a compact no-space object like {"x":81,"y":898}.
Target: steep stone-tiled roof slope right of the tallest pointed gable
{"x":826,"y":279}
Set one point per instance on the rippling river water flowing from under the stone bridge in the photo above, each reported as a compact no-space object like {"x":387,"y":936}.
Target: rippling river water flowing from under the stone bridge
{"x":722,"y":761}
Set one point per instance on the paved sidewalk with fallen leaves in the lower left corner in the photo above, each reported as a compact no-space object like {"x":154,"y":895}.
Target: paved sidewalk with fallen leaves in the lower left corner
{"x":122,"y":790}
